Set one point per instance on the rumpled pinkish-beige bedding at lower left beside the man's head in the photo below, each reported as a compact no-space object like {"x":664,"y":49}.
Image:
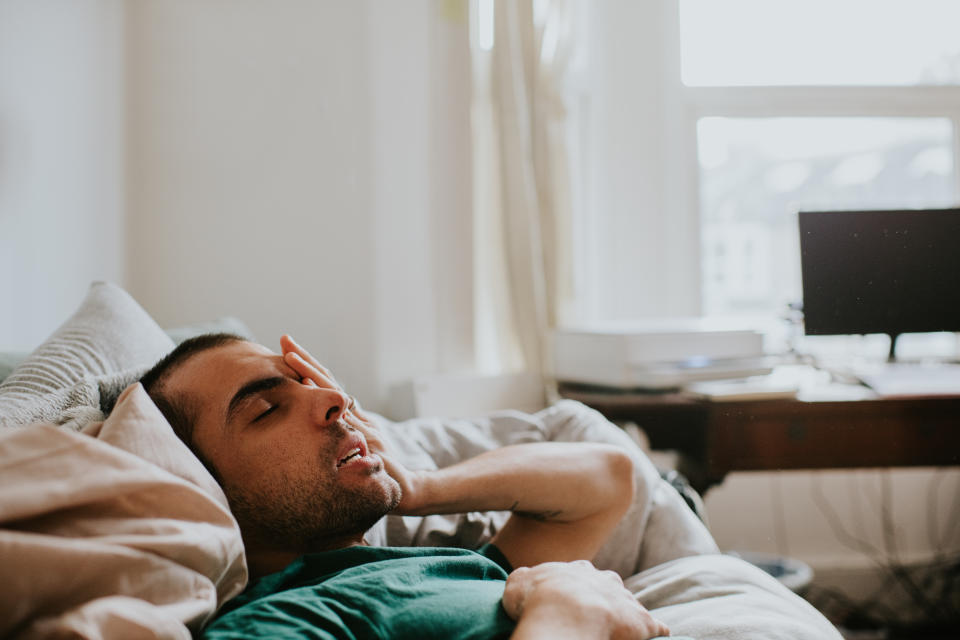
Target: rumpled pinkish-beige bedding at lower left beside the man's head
{"x":113,"y":532}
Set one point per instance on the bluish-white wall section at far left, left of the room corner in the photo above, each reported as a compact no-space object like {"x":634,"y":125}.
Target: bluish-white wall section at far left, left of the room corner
{"x":61,"y":162}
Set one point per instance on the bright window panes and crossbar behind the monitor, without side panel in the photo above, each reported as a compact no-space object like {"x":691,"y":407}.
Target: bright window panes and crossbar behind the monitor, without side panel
{"x":811,"y":105}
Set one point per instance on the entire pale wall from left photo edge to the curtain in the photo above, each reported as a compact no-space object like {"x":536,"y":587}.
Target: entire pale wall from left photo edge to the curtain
{"x":302,"y":165}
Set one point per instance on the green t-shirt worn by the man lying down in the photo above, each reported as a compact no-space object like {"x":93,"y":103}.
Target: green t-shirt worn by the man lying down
{"x":375,"y":592}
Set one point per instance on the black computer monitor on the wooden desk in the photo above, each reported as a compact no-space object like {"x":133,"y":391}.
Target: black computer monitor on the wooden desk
{"x":887,"y":272}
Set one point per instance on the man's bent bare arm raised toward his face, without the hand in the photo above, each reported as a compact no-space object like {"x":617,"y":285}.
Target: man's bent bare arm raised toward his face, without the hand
{"x":565,"y":498}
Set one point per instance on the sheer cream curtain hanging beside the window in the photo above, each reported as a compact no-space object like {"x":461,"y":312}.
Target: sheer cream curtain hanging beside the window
{"x":522,"y":179}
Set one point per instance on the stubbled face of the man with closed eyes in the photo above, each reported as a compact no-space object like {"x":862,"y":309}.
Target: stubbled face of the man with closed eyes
{"x":296,"y":475}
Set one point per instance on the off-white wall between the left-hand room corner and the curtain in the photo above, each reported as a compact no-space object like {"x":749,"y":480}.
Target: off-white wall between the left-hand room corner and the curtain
{"x":299,"y":165}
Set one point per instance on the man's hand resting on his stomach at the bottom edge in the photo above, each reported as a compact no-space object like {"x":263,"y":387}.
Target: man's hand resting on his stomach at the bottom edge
{"x":564,"y":600}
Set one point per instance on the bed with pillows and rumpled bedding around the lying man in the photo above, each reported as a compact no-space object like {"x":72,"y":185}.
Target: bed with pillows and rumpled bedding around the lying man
{"x":110,"y":527}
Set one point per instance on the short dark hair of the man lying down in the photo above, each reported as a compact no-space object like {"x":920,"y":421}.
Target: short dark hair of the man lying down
{"x":179,"y":412}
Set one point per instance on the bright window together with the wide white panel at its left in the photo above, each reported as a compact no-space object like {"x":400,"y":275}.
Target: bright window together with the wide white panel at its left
{"x":713,"y":121}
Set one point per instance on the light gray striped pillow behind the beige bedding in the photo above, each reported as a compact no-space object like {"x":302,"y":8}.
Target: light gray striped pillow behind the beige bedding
{"x":79,"y":371}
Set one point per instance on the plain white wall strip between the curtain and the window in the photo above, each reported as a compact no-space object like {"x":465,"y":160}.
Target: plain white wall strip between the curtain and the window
{"x":641,"y":208}
